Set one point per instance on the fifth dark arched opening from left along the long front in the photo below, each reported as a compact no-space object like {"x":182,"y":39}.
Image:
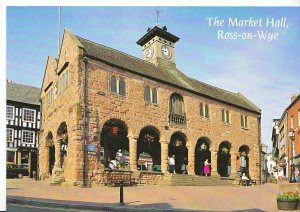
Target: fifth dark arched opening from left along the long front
{"x":224,"y":159}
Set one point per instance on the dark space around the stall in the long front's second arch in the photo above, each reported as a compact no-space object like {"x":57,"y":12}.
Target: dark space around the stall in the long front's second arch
{"x":149,"y":142}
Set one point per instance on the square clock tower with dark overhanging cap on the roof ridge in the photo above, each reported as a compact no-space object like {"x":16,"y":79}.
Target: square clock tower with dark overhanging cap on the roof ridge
{"x":158,"y":46}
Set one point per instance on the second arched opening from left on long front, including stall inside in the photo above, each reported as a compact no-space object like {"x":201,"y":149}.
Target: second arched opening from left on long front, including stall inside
{"x":149,"y":149}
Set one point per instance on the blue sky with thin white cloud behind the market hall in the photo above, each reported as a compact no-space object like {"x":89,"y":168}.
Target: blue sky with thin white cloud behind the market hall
{"x":265,"y":72}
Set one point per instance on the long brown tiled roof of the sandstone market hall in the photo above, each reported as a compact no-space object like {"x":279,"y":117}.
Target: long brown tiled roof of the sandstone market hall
{"x":167,"y":75}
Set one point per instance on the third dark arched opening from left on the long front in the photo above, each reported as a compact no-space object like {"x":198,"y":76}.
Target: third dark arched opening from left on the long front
{"x":177,"y":147}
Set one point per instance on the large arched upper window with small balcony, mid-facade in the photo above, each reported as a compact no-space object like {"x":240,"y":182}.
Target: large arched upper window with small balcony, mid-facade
{"x":177,"y":114}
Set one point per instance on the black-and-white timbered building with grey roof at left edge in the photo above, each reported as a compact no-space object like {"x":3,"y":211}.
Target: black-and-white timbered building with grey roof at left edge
{"x":22,"y":124}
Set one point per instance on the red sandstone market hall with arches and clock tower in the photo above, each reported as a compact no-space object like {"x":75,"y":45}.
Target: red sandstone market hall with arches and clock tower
{"x":98,"y":99}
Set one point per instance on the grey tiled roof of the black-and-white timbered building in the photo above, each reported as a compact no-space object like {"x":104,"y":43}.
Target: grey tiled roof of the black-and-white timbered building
{"x":22,"y":93}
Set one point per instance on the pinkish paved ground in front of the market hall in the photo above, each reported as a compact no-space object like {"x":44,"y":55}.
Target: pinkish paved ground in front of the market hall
{"x":28,"y":191}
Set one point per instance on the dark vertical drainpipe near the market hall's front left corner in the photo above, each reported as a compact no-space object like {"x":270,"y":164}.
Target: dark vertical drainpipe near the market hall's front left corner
{"x":84,"y":120}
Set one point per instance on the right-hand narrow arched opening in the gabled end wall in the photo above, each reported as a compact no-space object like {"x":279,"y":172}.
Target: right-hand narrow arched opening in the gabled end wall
{"x":62,"y":134}
